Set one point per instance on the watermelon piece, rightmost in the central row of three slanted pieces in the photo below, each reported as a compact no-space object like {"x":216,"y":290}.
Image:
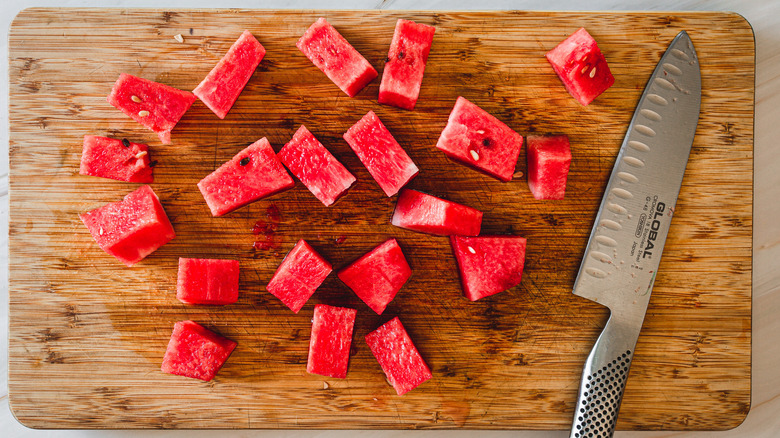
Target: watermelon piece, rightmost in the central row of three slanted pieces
{"x":384,"y":158}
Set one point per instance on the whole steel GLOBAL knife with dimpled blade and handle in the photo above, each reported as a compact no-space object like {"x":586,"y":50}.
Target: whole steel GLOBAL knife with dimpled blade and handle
{"x":622,"y":257}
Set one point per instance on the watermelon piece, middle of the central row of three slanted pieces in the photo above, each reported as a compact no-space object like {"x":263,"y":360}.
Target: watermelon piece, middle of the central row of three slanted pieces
{"x":317,"y":168}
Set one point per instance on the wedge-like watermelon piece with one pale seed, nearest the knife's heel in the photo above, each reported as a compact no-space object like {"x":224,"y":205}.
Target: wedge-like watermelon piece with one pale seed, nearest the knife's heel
{"x":488,"y":264}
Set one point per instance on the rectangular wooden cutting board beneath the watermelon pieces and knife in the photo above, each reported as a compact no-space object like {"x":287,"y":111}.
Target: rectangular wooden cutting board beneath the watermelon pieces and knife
{"x":87,"y":334}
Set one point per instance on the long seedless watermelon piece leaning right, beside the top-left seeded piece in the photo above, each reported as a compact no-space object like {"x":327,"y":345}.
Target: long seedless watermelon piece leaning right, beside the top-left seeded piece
{"x":221,"y":87}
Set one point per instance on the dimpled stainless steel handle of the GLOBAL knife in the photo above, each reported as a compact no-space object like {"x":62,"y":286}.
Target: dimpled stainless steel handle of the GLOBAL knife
{"x":603,"y":381}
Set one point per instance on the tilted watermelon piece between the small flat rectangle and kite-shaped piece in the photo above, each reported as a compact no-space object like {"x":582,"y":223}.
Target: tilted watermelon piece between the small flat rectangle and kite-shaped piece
{"x":302,"y":271}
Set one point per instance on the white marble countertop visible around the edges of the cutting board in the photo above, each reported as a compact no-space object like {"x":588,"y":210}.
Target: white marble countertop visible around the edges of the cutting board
{"x":764,"y":15}
